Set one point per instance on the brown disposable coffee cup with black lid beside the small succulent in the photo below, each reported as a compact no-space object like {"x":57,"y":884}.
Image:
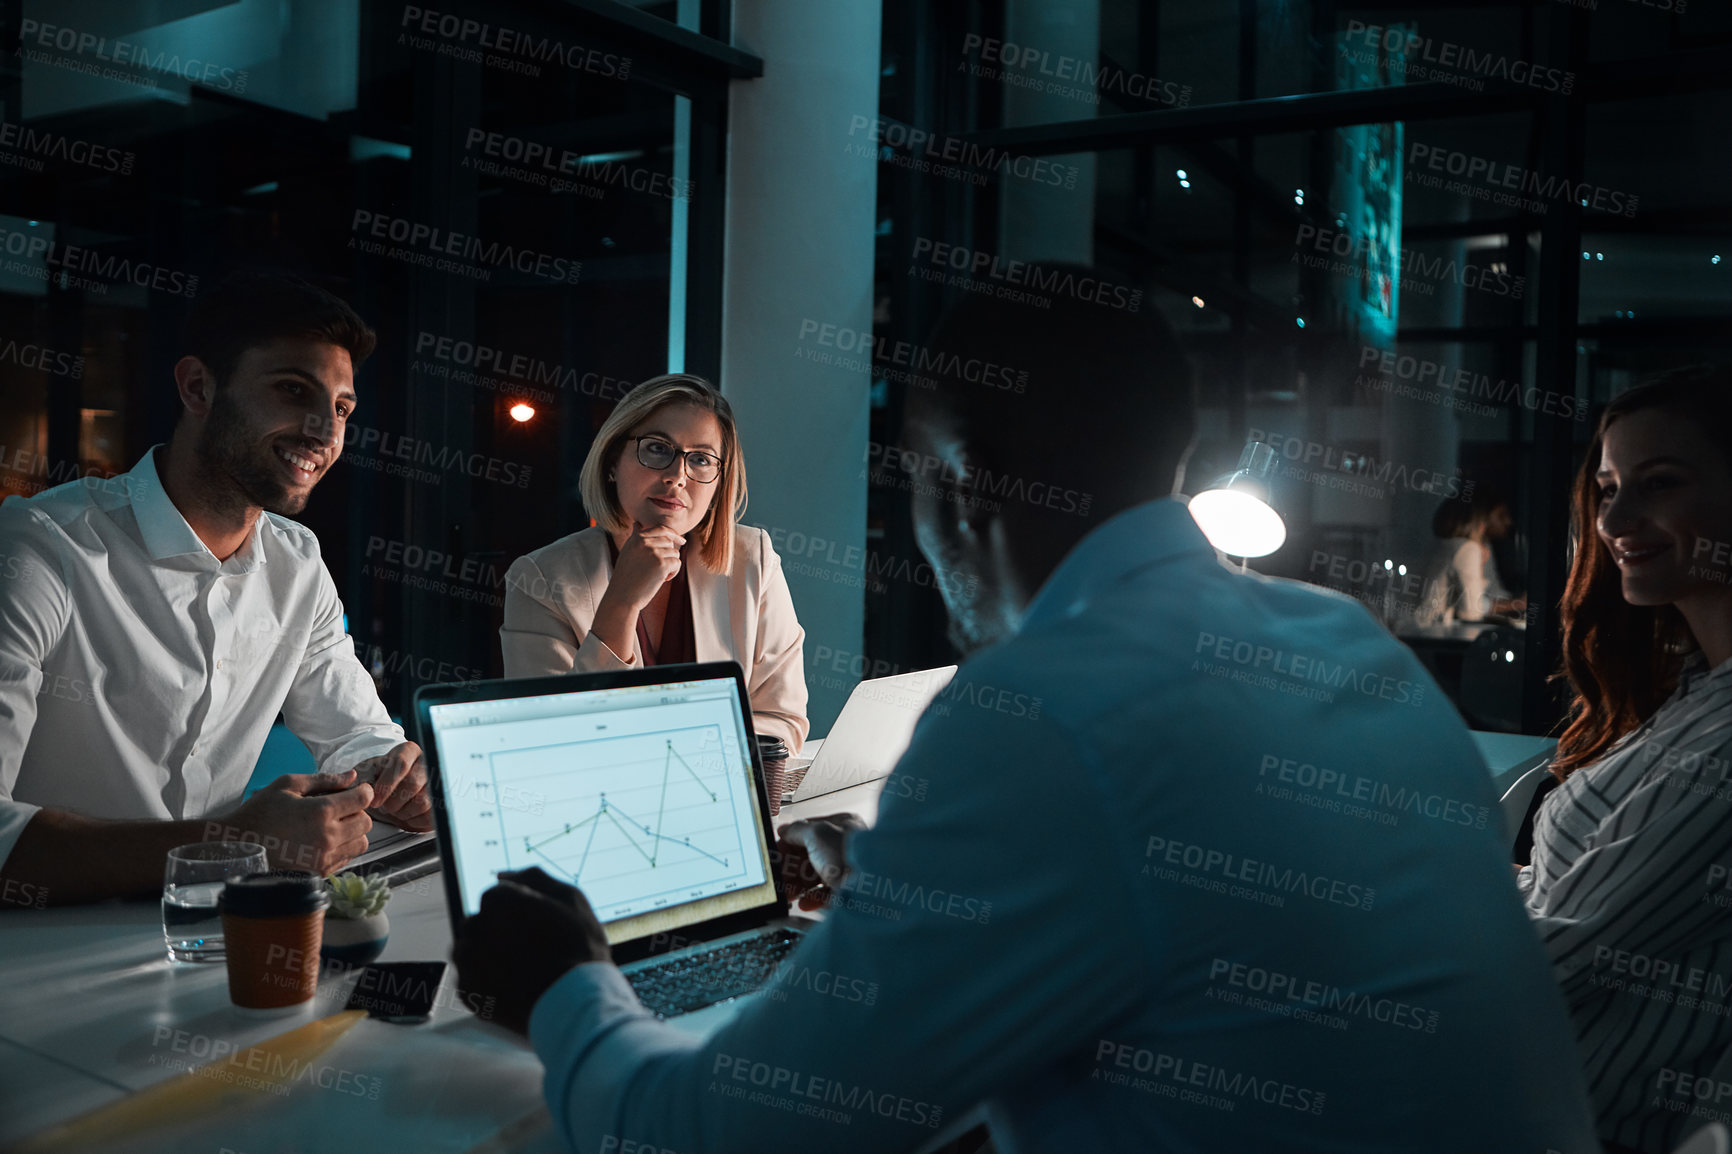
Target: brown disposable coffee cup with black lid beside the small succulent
{"x":275,"y":924}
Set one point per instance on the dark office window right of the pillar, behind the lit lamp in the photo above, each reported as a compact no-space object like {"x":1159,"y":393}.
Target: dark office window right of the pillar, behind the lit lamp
{"x":1414,"y":278}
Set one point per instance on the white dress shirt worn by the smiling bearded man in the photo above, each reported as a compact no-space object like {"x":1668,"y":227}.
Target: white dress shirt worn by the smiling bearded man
{"x":139,"y":677}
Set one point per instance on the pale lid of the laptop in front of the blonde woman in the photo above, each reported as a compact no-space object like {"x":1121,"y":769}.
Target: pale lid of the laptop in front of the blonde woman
{"x":872,"y":732}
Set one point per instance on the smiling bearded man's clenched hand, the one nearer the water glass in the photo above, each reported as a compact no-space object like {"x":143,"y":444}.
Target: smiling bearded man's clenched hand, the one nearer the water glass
{"x":309,"y":820}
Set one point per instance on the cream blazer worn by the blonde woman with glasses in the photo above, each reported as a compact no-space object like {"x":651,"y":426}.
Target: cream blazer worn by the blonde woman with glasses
{"x":552,"y":599}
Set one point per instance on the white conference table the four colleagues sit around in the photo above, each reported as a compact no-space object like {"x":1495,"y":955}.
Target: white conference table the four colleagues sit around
{"x":91,"y":1011}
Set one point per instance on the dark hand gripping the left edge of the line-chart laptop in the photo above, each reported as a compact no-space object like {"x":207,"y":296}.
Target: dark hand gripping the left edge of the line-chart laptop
{"x":531,"y":933}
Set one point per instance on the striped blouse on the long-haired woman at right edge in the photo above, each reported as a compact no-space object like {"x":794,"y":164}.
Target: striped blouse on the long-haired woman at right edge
{"x":1631,"y":890}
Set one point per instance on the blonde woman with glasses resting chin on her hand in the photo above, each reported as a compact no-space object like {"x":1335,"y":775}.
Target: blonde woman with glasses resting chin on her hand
{"x":666,"y":574}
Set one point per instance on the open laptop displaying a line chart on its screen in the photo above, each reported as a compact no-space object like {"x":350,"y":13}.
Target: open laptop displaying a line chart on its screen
{"x":643,"y":789}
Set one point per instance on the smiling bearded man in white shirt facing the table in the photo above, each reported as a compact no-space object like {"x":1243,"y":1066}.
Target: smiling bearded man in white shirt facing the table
{"x":157,"y":625}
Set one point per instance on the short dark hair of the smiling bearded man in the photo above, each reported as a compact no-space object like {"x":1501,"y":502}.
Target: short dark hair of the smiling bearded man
{"x":255,"y":308}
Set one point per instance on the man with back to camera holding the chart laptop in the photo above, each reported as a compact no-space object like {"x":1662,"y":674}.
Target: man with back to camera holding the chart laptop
{"x":1194,"y":905}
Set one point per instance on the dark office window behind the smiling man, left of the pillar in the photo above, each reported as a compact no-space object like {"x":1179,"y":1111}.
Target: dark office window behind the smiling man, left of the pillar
{"x":526,"y":204}
